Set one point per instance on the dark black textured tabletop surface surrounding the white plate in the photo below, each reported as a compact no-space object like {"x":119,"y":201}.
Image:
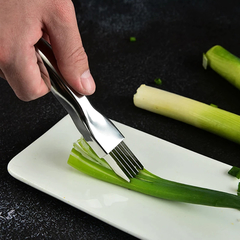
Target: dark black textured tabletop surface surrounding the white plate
{"x":171,"y":37}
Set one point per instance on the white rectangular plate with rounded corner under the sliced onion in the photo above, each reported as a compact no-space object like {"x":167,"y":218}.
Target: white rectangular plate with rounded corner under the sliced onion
{"x":43,"y":165}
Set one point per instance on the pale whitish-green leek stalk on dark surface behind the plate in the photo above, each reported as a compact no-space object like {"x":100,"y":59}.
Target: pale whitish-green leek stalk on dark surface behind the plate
{"x":201,"y":115}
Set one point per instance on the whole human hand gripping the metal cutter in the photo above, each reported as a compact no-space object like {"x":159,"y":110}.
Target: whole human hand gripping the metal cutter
{"x":23,"y":23}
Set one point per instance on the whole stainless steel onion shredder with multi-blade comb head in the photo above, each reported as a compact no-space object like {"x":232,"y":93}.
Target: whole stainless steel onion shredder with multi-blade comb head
{"x":98,"y":131}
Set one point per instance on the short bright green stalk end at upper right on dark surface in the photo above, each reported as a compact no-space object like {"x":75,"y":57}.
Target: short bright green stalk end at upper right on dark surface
{"x":224,"y":63}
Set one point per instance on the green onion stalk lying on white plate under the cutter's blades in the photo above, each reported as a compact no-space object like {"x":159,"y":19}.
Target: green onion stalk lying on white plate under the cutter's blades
{"x":85,"y":160}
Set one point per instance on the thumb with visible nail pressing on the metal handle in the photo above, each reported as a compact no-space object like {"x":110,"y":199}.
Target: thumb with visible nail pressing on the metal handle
{"x":68,"y":50}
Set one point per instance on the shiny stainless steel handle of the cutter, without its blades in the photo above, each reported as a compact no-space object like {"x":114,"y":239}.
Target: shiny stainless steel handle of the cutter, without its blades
{"x":98,"y":131}
